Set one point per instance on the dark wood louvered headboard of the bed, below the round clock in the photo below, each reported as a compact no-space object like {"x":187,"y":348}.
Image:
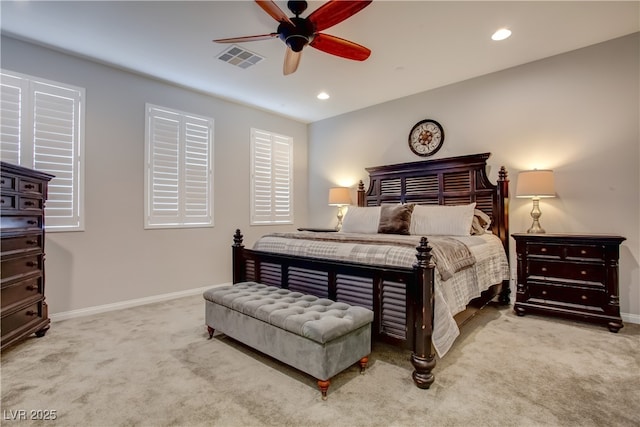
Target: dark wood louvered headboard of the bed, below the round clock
{"x":448,"y":181}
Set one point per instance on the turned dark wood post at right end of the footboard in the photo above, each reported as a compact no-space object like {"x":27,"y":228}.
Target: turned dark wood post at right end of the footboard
{"x":423,"y":357}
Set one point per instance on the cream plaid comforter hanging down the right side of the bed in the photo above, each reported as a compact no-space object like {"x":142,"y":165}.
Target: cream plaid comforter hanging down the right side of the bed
{"x":451,"y":296}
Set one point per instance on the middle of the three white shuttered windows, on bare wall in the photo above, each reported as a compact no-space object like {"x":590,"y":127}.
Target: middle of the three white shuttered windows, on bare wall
{"x":179,"y":169}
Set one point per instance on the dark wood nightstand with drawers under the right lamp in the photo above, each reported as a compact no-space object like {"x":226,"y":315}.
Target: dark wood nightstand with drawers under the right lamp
{"x":574,"y":276}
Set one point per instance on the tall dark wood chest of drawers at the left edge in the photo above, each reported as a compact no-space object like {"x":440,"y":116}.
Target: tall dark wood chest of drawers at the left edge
{"x":23,"y":306}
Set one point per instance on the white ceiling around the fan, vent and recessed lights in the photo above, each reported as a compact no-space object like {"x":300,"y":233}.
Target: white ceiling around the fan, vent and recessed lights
{"x":416,"y":45}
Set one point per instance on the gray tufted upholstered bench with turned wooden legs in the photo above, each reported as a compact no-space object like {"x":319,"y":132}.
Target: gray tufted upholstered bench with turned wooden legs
{"x":317,"y":336}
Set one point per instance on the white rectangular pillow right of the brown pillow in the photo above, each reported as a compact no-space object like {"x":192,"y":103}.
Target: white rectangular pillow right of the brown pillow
{"x":434,"y":220}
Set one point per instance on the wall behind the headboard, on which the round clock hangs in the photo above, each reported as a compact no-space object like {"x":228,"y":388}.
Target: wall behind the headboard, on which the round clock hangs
{"x":576,"y":113}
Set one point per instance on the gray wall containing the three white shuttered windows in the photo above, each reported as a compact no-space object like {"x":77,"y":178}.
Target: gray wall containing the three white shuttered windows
{"x":115,"y":259}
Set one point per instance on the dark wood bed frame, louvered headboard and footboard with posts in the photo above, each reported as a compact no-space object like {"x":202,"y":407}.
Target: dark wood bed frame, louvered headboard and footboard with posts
{"x":402,"y":298}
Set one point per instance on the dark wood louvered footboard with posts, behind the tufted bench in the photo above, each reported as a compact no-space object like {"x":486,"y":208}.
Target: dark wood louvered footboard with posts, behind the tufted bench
{"x":401,"y":298}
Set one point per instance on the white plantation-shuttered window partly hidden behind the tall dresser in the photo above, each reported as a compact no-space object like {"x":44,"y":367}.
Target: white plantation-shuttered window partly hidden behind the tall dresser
{"x":42,"y":128}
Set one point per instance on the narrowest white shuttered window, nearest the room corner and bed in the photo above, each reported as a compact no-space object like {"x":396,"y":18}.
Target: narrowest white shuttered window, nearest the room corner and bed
{"x":271,"y":178}
